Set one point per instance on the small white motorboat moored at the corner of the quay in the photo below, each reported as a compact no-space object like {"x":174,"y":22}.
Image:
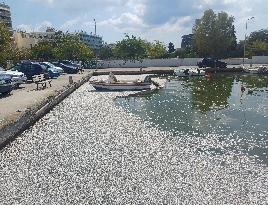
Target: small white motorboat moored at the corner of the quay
{"x":114,"y":85}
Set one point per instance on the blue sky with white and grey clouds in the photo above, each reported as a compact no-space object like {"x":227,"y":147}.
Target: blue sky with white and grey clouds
{"x":165,"y":21}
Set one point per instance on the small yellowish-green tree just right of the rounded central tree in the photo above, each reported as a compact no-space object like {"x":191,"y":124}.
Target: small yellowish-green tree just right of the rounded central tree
{"x":156,"y":50}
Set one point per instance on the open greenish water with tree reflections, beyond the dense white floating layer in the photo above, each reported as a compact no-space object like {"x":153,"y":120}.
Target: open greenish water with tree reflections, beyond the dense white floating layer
{"x":217,"y":106}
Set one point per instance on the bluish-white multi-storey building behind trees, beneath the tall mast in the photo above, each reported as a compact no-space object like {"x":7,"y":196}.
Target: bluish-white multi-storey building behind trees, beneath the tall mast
{"x":93,"y":41}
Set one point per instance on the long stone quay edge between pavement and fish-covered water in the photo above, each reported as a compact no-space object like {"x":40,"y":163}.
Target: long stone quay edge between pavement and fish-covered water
{"x":30,"y":117}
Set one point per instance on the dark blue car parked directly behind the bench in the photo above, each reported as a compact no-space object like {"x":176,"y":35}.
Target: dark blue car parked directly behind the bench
{"x":30,"y":69}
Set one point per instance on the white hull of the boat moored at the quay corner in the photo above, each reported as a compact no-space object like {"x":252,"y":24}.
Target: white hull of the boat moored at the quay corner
{"x":121,"y":86}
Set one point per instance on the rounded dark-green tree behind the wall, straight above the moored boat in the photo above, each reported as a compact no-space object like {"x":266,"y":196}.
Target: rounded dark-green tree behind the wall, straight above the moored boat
{"x":131,"y":48}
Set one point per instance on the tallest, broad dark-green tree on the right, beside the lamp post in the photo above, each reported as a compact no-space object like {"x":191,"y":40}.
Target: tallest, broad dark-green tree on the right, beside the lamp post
{"x":214,"y":34}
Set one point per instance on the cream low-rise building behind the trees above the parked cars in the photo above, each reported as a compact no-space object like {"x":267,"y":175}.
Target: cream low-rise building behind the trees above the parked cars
{"x":28,"y":40}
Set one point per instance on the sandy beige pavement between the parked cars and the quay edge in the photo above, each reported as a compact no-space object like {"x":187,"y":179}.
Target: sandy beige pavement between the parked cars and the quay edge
{"x":27,"y":96}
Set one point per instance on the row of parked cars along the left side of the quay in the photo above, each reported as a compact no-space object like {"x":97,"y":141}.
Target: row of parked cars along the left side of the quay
{"x":25,"y":70}
